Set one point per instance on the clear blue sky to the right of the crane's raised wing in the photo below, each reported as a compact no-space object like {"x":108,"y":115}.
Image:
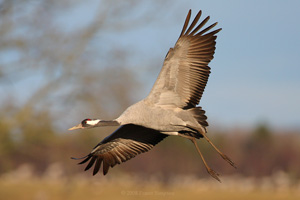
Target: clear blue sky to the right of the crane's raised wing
{"x":256,"y":73}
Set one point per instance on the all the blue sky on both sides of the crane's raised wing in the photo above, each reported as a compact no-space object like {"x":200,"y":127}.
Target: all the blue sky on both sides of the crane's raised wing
{"x":255,"y":73}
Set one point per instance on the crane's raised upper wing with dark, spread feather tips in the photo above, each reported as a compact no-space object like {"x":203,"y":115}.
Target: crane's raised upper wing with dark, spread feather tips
{"x":185,"y":72}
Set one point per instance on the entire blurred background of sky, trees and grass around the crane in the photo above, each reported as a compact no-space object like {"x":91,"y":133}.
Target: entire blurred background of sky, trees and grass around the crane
{"x":62,"y":61}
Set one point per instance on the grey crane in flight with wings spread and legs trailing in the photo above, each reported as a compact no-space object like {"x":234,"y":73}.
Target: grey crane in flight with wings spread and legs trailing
{"x":169,"y":109}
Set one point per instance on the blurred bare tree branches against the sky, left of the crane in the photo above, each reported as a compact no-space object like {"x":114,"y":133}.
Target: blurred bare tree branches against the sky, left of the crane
{"x":72,"y":64}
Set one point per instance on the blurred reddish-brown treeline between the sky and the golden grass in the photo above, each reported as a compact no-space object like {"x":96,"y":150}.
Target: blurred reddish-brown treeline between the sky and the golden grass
{"x":258,"y":152}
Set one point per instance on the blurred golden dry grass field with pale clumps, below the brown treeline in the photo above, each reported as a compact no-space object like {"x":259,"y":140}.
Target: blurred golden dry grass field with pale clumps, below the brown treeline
{"x":25,"y":186}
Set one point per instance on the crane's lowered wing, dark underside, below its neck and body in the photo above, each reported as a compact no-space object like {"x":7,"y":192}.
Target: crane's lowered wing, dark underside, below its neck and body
{"x":125,"y":143}
